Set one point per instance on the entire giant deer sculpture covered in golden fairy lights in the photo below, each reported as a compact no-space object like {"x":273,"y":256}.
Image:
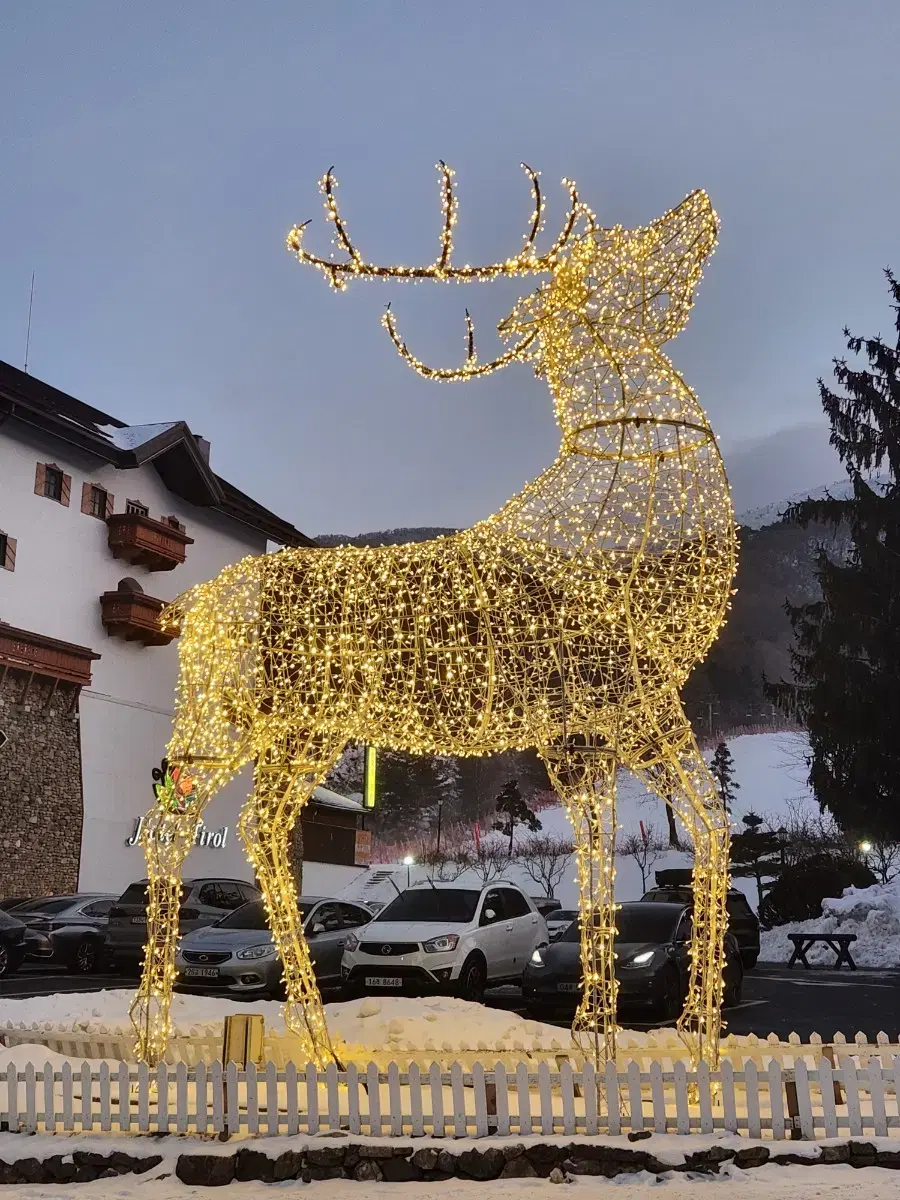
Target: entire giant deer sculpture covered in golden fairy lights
{"x":568,"y":621}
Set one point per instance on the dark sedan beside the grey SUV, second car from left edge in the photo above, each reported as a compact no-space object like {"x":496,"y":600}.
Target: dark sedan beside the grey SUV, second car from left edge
{"x":68,"y":931}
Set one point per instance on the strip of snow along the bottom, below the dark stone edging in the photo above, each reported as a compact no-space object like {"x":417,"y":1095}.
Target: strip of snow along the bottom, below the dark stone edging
{"x":763,"y":1184}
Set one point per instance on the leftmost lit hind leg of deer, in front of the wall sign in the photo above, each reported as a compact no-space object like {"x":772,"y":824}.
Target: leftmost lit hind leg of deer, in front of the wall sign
{"x":167,"y":837}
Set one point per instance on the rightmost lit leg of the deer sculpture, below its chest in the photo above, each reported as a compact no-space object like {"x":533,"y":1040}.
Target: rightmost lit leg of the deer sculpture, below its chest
{"x":682,"y":781}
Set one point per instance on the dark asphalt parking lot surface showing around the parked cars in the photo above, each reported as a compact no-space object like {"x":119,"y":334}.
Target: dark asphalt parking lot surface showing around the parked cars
{"x":776,"y":1000}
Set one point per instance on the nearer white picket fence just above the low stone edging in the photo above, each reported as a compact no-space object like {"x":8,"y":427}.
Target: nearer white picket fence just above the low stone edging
{"x":776,"y":1102}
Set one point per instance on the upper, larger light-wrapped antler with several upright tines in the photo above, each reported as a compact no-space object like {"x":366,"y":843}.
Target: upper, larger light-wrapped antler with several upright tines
{"x":526,"y":262}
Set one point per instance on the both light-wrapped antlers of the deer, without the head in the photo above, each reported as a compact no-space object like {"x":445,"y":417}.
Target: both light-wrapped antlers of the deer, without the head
{"x":526,"y":262}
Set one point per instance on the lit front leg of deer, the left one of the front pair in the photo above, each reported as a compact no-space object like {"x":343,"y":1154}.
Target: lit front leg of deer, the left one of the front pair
{"x":586,"y":784}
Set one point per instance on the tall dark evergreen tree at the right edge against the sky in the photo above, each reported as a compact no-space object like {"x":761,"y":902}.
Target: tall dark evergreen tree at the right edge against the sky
{"x":848,"y":650}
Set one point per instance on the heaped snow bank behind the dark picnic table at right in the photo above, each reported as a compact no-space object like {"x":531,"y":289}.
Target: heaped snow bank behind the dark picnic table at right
{"x":872,"y":914}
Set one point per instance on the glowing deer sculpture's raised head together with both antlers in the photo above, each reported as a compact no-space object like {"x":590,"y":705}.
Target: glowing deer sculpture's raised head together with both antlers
{"x":614,"y":293}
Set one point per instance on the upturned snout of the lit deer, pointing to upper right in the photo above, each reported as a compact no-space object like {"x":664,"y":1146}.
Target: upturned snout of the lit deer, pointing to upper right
{"x":675,"y":249}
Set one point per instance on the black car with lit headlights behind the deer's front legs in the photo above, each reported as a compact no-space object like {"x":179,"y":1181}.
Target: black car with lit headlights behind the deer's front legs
{"x":652,"y":964}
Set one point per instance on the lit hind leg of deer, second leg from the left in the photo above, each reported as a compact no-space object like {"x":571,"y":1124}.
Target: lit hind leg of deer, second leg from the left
{"x":284,"y":782}
